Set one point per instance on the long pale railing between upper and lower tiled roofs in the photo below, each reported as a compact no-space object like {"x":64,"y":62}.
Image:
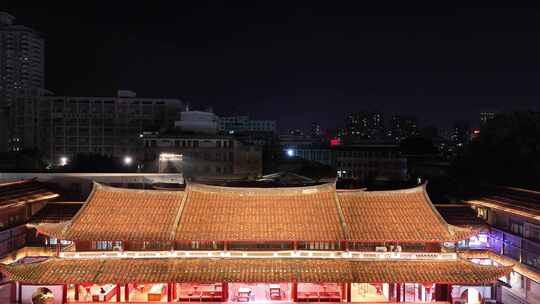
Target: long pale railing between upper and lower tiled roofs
{"x":264,"y":254}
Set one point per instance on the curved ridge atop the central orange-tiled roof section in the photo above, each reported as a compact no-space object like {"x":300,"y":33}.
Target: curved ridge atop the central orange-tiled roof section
{"x":326,"y":187}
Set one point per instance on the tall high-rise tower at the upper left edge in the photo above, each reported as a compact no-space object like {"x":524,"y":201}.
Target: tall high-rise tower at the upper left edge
{"x":22,"y":62}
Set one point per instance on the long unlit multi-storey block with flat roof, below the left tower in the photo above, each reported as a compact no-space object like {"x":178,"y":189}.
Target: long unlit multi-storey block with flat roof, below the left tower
{"x":63,"y":126}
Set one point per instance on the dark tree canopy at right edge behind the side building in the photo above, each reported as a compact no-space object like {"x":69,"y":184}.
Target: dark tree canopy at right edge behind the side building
{"x":507,"y":152}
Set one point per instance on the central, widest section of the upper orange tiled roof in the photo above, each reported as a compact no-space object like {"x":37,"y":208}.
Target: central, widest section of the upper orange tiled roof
{"x":260,"y":214}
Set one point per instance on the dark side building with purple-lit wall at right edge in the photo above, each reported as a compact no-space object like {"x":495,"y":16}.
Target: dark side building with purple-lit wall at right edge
{"x":513,"y":216}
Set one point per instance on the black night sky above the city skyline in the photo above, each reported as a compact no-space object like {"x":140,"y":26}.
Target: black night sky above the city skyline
{"x":296,"y":62}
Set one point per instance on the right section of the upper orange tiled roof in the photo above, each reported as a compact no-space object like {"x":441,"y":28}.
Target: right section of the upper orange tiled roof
{"x":399,"y":215}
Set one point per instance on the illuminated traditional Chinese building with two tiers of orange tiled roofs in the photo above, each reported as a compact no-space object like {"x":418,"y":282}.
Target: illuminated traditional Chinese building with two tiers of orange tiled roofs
{"x":225,"y":244}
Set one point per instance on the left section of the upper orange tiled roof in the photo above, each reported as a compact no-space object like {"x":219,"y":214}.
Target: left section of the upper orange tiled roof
{"x":126,"y":215}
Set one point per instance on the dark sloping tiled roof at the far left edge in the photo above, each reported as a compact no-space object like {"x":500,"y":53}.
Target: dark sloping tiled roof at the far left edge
{"x":23,"y":191}
